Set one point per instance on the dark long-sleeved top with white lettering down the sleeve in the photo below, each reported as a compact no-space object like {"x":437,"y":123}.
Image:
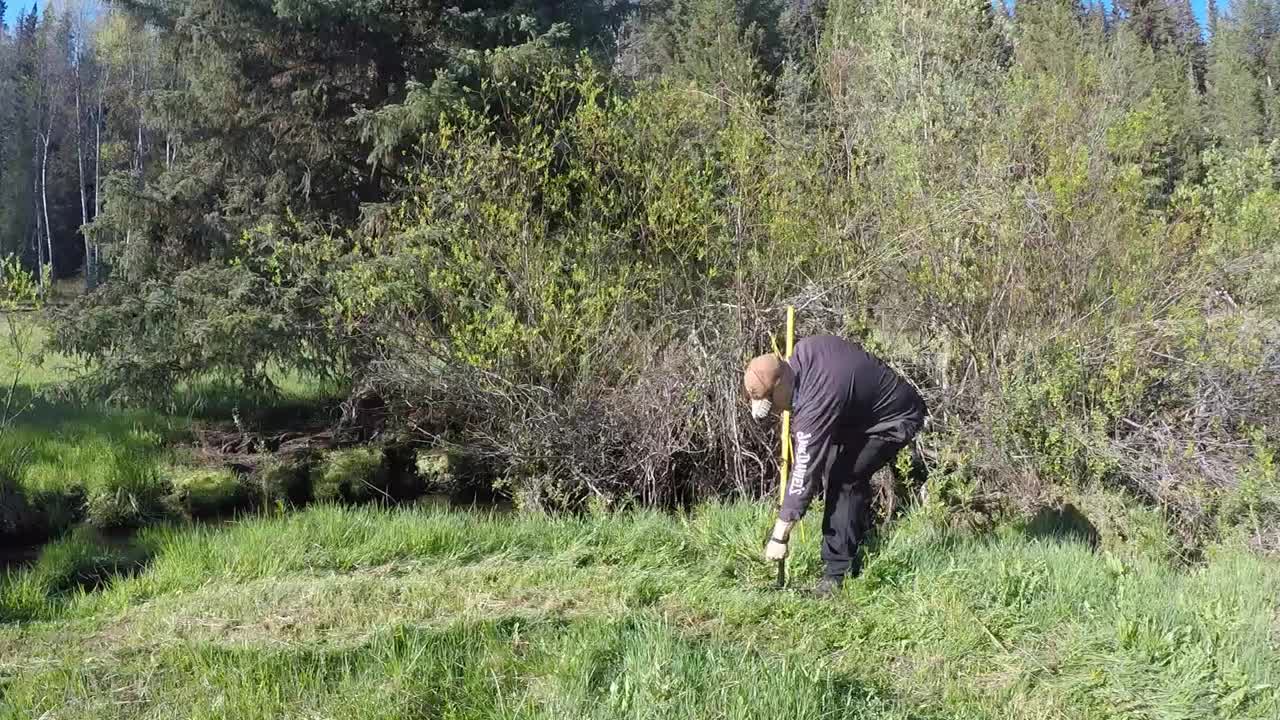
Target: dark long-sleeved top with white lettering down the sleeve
{"x":842,"y":393}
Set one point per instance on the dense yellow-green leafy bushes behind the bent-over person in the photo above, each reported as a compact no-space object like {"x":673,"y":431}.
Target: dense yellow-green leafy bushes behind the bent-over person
{"x":1034,"y":220}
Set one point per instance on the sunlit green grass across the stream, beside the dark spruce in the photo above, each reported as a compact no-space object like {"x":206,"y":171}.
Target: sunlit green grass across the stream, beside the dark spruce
{"x":66,"y":457}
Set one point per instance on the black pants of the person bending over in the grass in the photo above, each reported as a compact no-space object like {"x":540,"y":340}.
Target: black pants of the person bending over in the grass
{"x":847,"y":517}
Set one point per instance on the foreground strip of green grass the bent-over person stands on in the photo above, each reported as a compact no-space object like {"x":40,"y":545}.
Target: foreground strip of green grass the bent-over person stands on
{"x":419,"y":613}
